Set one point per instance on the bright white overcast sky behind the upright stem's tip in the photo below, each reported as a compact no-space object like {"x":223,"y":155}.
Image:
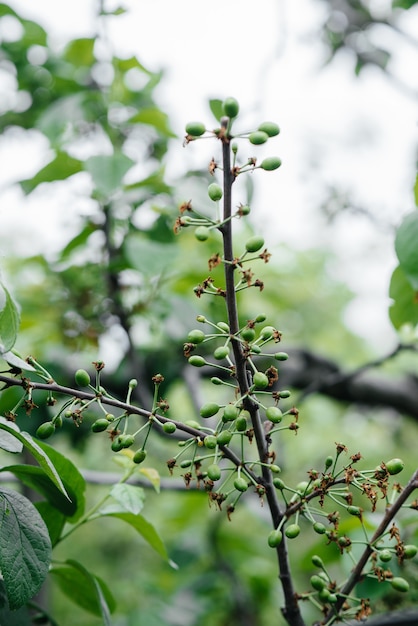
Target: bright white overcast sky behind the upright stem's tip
{"x":357,"y":134}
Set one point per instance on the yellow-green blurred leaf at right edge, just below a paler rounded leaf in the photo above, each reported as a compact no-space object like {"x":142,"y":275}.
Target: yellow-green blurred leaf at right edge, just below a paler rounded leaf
{"x":404,"y":309}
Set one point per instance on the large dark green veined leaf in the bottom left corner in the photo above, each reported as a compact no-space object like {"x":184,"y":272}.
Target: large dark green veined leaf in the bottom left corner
{"x":25,"y":548}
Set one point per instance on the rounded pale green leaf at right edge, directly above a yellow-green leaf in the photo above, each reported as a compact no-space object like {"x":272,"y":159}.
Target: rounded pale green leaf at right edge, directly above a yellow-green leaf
{"x":406,"y":246}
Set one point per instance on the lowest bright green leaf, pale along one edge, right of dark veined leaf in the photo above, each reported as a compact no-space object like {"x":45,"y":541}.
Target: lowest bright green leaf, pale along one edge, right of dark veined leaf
{"x":85,"y":589}
